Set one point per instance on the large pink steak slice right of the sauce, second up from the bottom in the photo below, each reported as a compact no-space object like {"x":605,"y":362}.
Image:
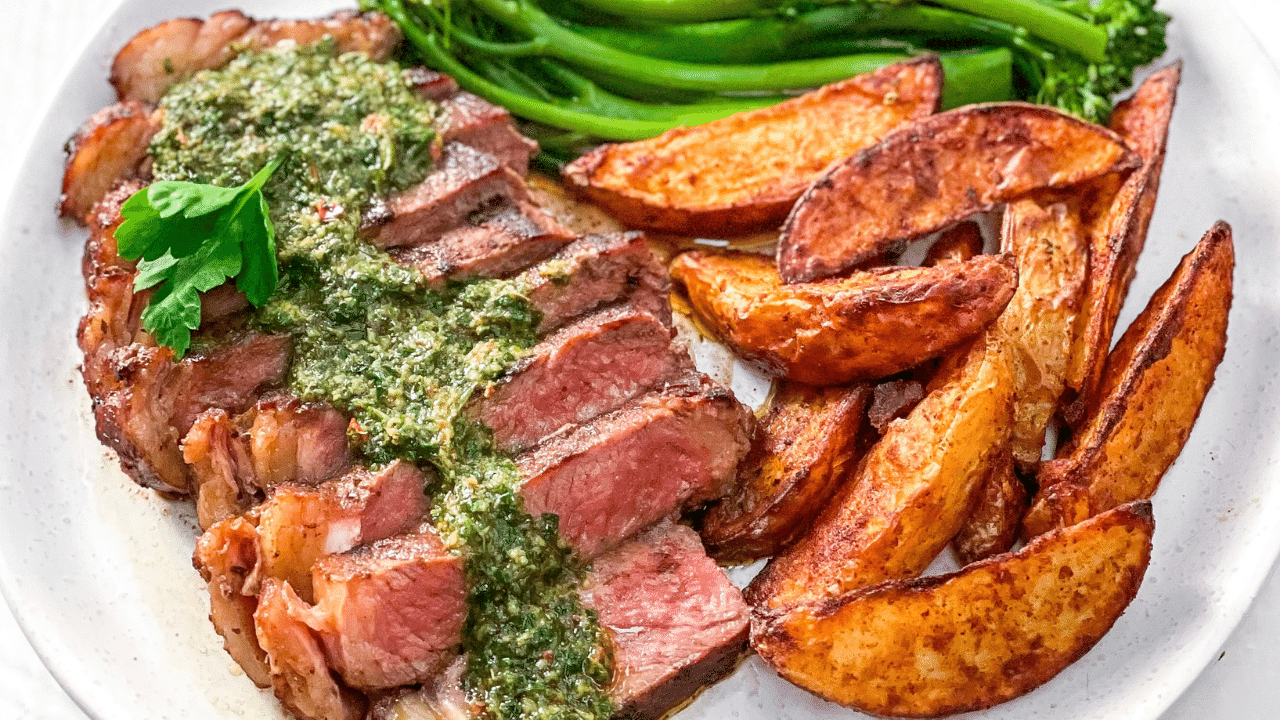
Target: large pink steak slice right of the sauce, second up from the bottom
{"x":632,"y":468}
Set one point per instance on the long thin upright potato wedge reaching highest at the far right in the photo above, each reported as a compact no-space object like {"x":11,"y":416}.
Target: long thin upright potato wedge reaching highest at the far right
{"x":1118,"y":231}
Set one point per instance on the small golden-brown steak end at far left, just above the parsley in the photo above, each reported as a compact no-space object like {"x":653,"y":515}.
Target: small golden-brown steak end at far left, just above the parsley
{"x":109,"y":147}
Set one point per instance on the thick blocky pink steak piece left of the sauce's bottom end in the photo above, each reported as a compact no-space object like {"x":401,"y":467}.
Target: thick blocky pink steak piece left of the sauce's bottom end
{"x":391,"y":613}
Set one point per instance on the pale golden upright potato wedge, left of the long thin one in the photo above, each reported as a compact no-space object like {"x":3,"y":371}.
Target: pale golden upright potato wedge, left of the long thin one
{"x":1040,"y":321}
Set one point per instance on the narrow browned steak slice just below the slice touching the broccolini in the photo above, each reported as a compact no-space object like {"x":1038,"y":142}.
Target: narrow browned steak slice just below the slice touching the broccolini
{"x":467,"y":181}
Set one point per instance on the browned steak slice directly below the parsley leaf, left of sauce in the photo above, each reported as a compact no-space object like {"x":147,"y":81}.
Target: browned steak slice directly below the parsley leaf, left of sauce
{"x":145,"y":402}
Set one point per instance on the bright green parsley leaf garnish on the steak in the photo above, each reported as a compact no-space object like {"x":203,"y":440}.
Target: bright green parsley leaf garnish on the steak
{"x":191,"y":239}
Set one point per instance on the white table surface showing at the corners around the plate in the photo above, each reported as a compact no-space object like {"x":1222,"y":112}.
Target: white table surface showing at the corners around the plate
{"x":39,"y":42}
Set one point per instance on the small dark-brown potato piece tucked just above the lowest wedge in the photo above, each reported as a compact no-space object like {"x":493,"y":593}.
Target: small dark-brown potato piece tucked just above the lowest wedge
{"x":996,"y":520}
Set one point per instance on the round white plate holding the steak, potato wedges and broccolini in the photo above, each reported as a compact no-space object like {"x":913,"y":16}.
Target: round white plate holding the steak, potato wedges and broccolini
{"x":99,"y":571}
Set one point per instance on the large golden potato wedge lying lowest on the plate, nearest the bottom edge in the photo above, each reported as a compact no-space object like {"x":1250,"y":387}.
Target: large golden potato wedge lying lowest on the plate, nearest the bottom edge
{"x":968,"y":640}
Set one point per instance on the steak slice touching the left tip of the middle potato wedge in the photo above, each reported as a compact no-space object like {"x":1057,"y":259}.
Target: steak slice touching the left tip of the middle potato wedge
{"x":596,"y":271}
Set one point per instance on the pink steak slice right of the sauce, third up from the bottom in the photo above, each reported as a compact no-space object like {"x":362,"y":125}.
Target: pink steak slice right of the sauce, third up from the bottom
{"x":586,"y":370}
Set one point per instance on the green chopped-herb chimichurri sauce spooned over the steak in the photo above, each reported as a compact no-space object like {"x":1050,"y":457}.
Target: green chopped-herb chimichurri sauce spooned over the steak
{"x":401,"y":359}
